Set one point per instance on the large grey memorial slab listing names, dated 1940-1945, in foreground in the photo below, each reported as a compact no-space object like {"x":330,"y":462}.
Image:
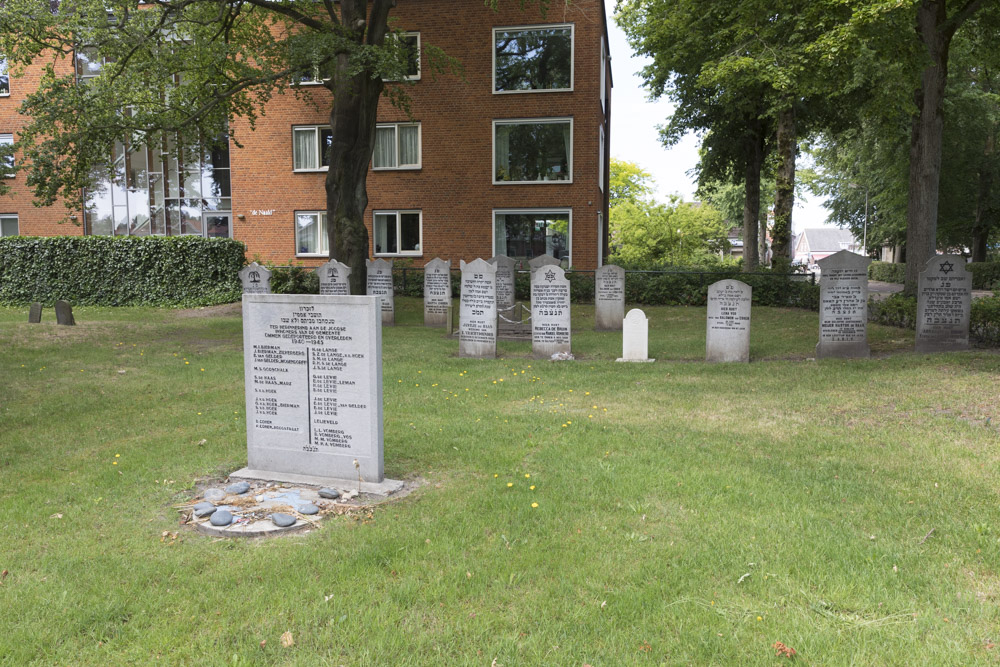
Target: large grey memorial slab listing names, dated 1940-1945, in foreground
{"x":313,"y":374}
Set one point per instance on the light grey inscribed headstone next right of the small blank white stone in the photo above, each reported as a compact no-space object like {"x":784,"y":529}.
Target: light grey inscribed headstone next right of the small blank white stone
{"x":727,"y":329}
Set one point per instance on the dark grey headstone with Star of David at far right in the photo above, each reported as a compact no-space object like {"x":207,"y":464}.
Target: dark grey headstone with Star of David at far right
{"x":944,"y":304}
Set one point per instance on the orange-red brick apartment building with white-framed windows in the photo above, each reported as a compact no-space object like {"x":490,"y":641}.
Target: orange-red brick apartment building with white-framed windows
{"x":510,"y":158}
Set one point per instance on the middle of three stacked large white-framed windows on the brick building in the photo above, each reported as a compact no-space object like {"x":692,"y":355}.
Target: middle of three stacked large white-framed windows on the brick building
{"x":533,"y":150}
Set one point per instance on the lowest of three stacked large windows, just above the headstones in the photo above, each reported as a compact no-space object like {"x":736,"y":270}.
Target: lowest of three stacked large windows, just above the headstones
{"x":524,"y":235}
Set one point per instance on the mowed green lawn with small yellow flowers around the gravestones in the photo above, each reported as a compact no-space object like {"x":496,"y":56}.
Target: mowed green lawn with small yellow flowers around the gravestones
{"x":686,"y":513}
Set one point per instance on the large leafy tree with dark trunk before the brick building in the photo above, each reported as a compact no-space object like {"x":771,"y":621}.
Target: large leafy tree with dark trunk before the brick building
{"x":189,"y":67}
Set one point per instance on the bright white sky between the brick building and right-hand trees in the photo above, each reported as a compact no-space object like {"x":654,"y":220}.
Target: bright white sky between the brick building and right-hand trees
{"x":634,"y":134}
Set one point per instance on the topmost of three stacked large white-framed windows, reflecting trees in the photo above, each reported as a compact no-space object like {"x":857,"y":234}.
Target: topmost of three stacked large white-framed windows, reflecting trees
{"x":537,"y":58}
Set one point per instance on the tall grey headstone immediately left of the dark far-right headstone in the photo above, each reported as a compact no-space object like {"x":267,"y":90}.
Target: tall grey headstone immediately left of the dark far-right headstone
{"x":843,"y":307}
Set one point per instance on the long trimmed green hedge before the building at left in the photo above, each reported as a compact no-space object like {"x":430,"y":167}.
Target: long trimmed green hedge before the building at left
{"x":120,"y":271}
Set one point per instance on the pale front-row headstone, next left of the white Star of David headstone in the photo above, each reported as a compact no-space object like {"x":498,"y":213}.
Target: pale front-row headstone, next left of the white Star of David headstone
{"x":477,"y":317}
